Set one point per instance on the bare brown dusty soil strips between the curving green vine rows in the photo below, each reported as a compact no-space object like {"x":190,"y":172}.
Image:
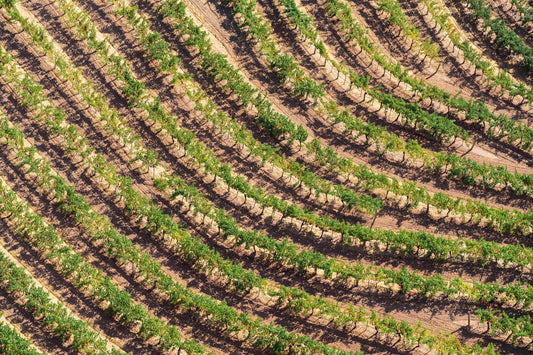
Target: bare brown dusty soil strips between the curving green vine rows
{"x":437,"y":314}
